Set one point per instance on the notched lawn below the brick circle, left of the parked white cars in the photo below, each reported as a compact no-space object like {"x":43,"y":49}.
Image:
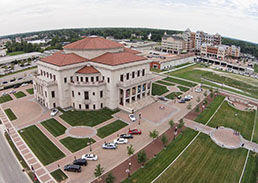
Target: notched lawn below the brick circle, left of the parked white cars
{"x":75,"y":144}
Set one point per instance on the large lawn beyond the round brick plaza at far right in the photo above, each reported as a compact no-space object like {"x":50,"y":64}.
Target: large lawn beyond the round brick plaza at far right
{"x":226,"y":116}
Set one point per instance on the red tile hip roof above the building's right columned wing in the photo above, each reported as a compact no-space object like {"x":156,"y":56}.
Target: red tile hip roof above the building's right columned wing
{"x":117,"y":58}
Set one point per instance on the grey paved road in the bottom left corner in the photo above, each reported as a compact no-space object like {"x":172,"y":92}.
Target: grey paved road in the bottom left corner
{"x":10,"y":170}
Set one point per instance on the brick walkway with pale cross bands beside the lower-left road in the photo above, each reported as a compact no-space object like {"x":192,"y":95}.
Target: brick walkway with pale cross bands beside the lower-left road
{"x":40,"y":171}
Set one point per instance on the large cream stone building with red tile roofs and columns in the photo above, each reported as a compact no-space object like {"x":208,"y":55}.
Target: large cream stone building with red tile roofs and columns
{"x":93,"y":73}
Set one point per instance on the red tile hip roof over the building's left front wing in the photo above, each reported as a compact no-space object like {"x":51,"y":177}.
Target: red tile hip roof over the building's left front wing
{"x":62,"y":59}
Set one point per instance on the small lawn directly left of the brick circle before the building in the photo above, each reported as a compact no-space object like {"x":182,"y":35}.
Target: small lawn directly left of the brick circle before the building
{"x":54,"y":127}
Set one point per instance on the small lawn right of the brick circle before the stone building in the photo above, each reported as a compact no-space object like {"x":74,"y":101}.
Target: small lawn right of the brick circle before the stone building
{"x":110,"y":128}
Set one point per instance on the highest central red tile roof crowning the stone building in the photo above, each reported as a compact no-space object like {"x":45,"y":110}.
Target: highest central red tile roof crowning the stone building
{"x":93,"y":43}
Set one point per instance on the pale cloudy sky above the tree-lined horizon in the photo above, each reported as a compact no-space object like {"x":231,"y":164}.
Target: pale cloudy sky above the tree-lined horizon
{"x":231,"y":18}
